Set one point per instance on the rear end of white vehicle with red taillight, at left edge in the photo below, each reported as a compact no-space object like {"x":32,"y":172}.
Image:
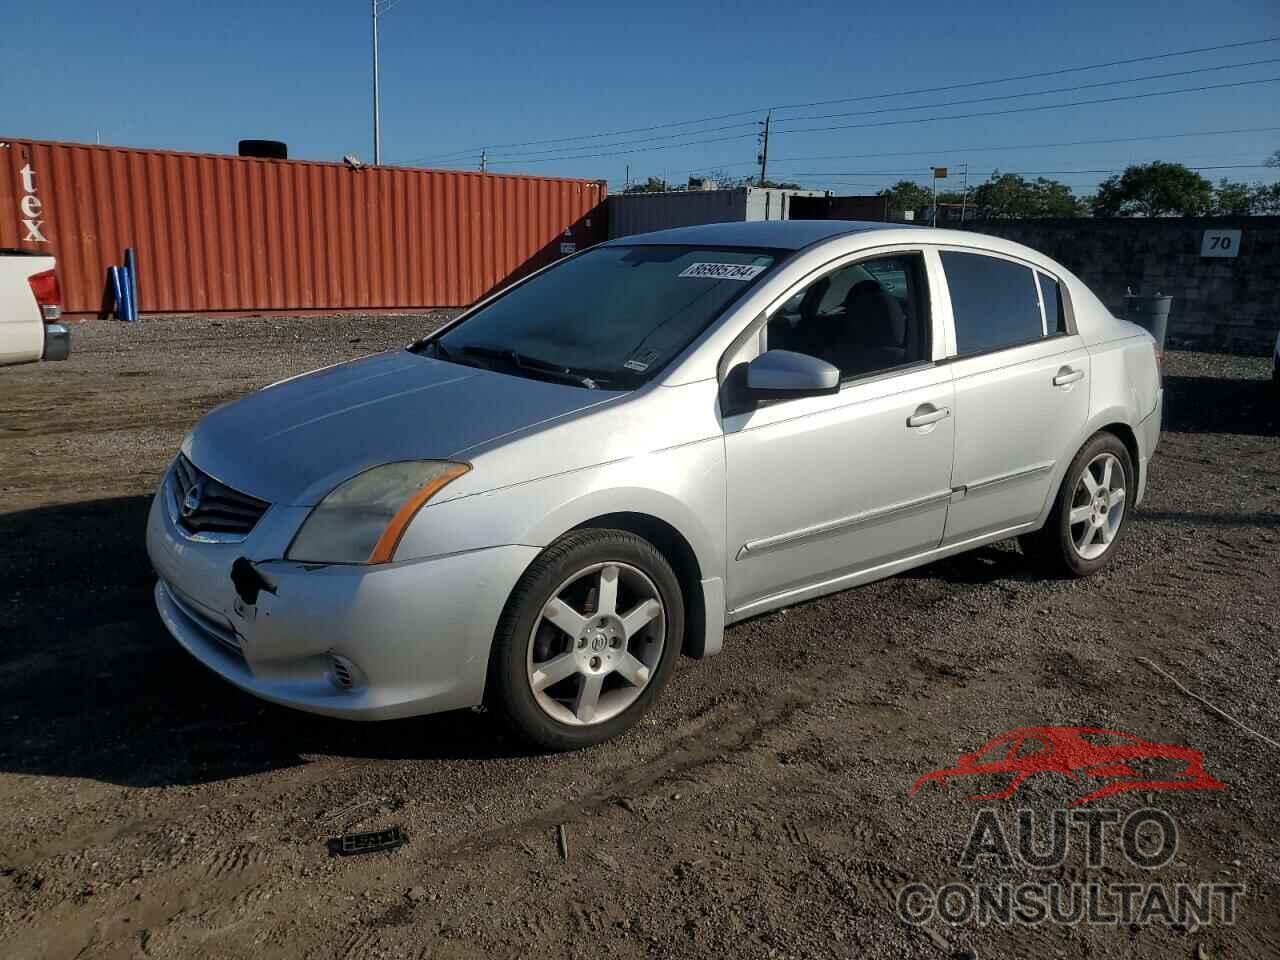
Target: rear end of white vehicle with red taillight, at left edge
{"x":31,"y":304}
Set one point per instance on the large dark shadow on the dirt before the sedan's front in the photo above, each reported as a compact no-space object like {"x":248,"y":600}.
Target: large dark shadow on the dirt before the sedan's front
{"x":92,"y":685}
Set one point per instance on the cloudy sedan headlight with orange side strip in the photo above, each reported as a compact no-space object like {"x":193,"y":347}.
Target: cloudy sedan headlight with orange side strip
{"x":364,"y":519}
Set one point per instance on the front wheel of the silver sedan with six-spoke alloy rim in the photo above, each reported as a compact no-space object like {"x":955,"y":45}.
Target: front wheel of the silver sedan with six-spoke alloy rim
{"x":570,"y":668}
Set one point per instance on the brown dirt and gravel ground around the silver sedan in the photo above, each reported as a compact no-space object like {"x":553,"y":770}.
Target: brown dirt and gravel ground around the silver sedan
{"x":764,"y":810}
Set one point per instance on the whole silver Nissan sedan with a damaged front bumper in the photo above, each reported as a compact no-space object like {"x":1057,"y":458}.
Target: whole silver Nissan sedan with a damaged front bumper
{"x":547,"y":502}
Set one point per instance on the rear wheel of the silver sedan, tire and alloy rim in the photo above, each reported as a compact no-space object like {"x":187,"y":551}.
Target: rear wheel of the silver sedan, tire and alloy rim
{"x":1058,"y":548}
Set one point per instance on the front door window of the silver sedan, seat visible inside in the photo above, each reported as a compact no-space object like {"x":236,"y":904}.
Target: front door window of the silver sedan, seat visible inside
{"x":865,"y":318}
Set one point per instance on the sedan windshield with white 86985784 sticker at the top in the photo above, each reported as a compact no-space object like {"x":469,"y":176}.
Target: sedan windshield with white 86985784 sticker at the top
{"x":610,"y":319}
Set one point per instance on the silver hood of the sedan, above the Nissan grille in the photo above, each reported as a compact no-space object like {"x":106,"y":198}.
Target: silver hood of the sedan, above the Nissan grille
{"x":295,"y":441}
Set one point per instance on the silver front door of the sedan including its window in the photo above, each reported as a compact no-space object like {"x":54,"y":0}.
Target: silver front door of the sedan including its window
{"x":821,"y":488}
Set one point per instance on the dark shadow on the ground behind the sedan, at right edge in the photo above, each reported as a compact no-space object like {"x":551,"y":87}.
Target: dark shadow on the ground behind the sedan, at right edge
{"x":1218,"y":405}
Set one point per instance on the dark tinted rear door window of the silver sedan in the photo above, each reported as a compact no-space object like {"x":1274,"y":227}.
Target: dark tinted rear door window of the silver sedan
{"x":995,"y":303}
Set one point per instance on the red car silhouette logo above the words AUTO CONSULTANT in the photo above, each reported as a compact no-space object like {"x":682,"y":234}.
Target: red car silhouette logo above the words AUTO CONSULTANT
{"x":1091,"y":753}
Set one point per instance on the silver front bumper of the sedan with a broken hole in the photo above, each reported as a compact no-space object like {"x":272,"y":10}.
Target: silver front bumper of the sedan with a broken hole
{"x":414,"y":638}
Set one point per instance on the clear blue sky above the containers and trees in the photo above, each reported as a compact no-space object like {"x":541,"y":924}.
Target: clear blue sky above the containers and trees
{"x":194,"y":75}
